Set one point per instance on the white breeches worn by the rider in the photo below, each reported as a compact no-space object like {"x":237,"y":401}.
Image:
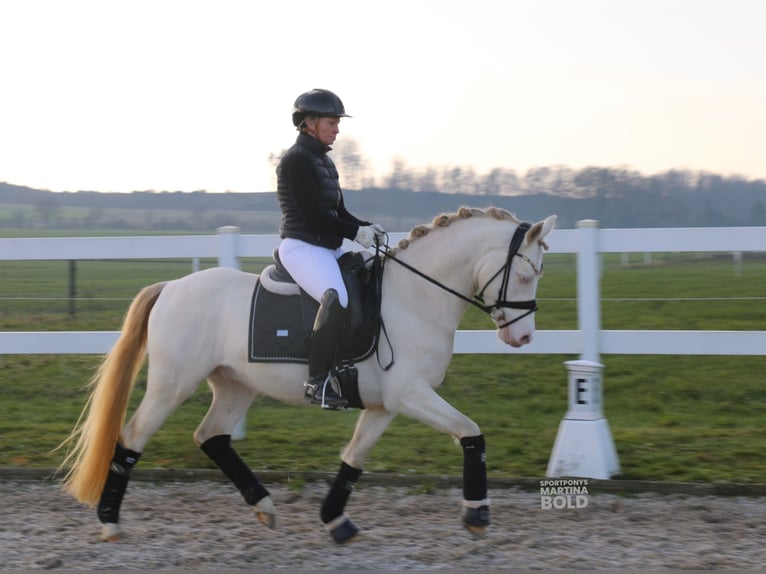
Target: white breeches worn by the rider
{"x":314,"y":268}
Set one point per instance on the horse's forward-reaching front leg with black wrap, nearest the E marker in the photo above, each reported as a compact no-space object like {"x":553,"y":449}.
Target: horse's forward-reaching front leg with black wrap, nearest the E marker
{"x":427,"y":406}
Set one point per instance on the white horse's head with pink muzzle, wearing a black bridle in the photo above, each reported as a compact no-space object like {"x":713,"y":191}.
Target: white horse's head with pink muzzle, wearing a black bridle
{"x":508,"y":280}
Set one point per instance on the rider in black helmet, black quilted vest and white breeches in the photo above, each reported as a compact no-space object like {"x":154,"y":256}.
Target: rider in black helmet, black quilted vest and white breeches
{"x":314,"y":223}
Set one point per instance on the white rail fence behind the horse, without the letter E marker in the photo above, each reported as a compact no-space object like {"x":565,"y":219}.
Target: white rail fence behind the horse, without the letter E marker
{"x":587,"y":241}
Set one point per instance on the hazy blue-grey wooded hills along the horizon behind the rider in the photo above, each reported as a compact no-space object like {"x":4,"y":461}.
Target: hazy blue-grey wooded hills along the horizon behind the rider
{"x":615,"y":198}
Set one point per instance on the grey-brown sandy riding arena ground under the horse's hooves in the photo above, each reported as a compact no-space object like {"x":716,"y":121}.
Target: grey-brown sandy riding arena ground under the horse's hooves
{"x":206,"y":526}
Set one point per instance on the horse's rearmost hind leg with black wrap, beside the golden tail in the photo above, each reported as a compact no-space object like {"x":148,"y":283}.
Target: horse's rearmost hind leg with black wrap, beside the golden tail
{"x":157,"y":404}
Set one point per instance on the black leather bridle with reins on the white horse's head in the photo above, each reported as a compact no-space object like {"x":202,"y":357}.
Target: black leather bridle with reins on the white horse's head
{"x":495,"y":311}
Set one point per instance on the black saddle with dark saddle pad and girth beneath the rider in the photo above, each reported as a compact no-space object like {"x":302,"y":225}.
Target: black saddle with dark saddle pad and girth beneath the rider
{"x":282,"y":318}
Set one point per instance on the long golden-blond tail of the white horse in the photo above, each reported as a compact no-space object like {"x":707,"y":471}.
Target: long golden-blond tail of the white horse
{"x":97,"y":432}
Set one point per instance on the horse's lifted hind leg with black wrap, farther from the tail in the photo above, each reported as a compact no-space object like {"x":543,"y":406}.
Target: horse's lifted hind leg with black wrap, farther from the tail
{"x":231,"y":400}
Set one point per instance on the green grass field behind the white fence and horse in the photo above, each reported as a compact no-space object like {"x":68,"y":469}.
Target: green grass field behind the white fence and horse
{"x":672,"y":418}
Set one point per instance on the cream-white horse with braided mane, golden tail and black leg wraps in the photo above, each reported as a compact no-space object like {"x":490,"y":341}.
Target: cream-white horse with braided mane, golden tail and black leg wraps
{"x":193,"y":328}
